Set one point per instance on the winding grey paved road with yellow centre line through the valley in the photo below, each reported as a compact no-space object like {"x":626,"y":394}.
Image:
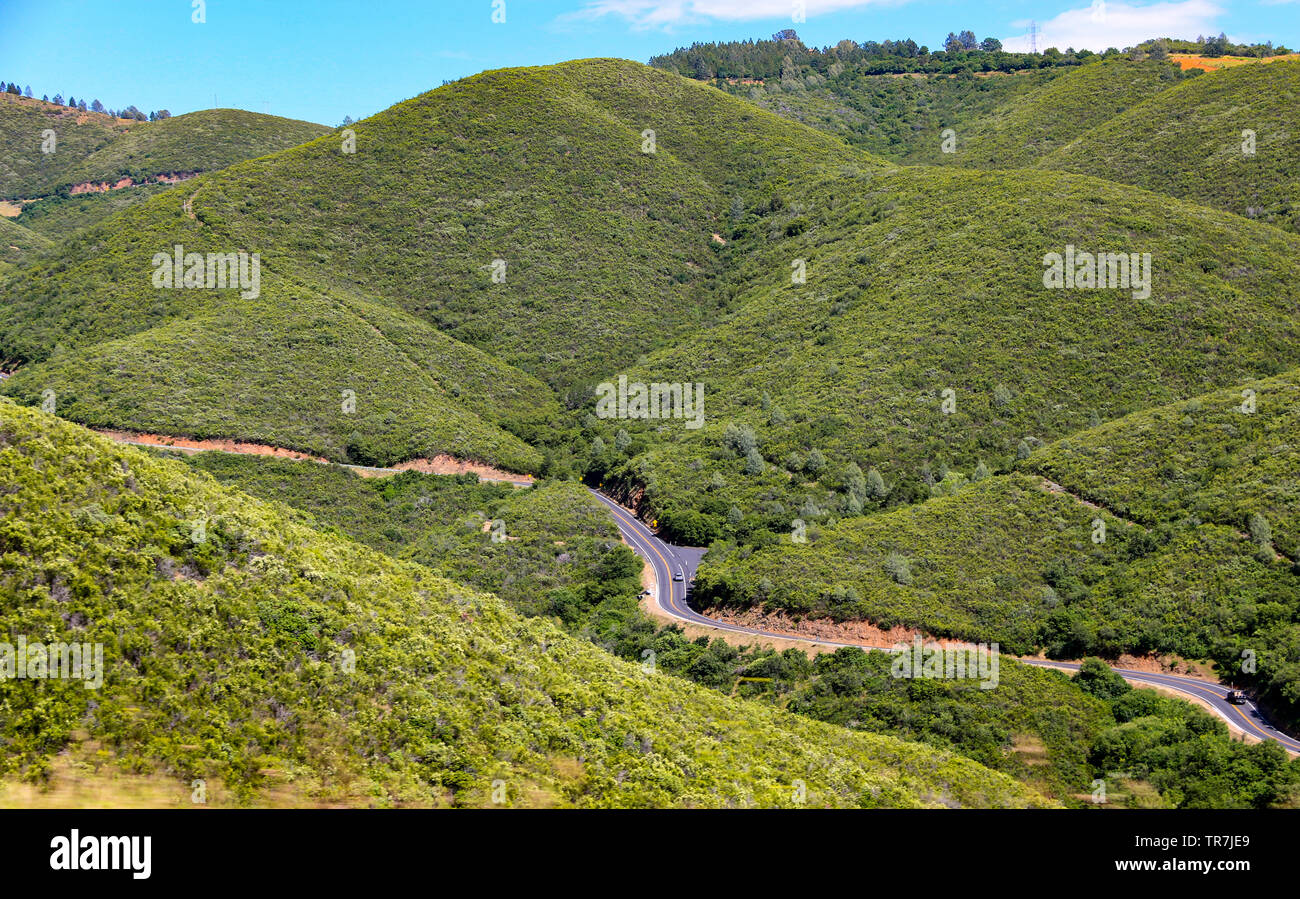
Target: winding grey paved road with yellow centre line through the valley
{"x":668,"y":561}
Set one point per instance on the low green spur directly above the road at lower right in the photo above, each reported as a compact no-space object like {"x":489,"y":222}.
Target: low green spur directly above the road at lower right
{"x":1197,"y":498}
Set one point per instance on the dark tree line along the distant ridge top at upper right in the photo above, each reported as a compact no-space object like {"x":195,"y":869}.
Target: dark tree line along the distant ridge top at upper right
{"x":786,"y":57}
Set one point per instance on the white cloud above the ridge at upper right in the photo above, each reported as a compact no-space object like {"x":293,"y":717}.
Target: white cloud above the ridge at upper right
{"x":1103,"y":25}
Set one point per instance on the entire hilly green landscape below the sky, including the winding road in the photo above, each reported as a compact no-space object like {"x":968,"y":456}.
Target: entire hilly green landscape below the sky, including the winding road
{"x":343,"y":505}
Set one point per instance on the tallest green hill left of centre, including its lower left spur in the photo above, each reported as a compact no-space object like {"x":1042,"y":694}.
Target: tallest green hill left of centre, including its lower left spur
{"x":608,"y":253}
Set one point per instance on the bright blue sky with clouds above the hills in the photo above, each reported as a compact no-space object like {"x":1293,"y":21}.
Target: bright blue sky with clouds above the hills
{"x":322,"y":60}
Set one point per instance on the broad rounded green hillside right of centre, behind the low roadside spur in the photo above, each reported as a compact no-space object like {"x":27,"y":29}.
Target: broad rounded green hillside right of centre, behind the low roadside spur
{"x":924,"y":281}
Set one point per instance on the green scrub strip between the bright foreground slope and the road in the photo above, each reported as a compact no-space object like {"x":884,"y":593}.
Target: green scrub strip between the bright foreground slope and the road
{"x":561,"y":548}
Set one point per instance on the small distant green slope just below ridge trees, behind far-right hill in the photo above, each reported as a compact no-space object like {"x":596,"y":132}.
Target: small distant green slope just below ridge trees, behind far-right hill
{"x":1024,"y":131}
